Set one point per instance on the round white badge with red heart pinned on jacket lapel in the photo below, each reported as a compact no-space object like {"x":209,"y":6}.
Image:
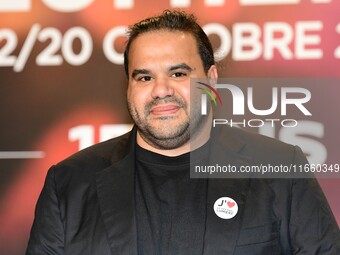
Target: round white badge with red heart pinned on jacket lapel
{"x":225,"y":208}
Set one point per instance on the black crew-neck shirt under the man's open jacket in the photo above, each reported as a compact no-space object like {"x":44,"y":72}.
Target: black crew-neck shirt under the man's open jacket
{"x":171,"y":207}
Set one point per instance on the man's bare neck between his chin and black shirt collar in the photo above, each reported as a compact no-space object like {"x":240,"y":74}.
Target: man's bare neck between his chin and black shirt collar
{"x":197,"y":140}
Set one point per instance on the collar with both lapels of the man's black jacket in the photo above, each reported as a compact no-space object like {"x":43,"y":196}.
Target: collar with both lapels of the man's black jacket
{"x":115,"y":188}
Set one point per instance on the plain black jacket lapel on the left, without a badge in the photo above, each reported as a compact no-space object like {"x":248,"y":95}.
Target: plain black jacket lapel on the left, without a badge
{"x":115,"y":189}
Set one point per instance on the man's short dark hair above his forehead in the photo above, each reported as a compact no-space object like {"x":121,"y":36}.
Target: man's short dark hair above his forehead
{"x":172,"y":20}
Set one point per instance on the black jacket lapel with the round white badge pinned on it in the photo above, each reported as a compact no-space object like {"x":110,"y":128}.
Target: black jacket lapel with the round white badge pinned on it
{"x":222,"y":234}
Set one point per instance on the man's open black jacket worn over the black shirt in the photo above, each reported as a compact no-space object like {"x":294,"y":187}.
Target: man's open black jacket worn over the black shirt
{"x":87,"y":203}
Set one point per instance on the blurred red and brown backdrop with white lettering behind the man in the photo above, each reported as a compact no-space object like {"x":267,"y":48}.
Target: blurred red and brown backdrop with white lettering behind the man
{"x":63,"y":88}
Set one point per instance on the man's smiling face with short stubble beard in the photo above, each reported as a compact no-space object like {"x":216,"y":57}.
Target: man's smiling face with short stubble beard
{"x":161,"y":64}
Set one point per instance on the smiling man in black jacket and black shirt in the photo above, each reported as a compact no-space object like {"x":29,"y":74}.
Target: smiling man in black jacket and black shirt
{"x":134,"y":195}
